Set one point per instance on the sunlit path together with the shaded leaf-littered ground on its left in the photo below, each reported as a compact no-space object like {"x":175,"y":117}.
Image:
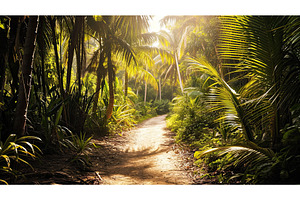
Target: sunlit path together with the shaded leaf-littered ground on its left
{"x":145,"y":155}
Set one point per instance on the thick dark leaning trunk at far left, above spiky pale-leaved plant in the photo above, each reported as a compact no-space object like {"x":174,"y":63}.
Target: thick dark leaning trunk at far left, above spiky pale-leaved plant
{"x":25,"y":77}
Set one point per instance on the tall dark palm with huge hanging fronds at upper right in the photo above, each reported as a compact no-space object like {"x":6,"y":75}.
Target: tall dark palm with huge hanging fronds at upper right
{"x":263,"y":49}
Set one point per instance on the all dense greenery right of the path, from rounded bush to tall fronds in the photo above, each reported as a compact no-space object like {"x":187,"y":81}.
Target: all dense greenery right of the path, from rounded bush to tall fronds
{"x":245,"y":124}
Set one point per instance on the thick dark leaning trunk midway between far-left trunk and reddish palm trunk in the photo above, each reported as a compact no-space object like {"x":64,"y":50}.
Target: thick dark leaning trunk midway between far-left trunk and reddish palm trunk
{"x":73,"y":42}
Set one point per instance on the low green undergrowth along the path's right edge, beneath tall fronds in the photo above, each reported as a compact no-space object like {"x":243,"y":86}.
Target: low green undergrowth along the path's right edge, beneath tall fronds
{"x":224,"y":155}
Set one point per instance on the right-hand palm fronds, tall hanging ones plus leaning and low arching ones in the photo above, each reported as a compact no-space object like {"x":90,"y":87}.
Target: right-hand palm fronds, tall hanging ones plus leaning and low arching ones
{"x":263,"y":50}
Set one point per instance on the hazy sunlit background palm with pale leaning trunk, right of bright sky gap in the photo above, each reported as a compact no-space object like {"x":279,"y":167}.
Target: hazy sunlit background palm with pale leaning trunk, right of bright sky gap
{"x":189,"y":37}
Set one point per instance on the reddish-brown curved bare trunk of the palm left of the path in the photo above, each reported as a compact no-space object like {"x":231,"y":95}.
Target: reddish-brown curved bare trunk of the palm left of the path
{"x":111,"y":86}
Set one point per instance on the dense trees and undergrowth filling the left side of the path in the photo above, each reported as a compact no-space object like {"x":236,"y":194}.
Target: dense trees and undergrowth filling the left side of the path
{"x":67,"y":79}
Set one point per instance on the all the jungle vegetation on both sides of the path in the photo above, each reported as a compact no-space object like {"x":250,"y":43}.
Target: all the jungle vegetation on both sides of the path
{"x":235,"y":79}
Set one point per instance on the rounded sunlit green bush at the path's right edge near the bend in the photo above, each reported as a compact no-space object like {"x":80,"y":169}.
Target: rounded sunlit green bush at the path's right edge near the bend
{"x":191,"y":120}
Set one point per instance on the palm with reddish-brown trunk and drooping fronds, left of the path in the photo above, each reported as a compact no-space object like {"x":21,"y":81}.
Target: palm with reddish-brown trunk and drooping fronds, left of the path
{"x":117,"y":32}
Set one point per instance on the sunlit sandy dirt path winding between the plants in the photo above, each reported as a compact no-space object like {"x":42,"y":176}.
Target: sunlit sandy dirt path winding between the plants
{"x":143,"y":156}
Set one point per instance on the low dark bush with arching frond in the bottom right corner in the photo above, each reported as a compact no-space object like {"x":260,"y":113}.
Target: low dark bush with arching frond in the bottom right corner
{"x":255,"y":165}
